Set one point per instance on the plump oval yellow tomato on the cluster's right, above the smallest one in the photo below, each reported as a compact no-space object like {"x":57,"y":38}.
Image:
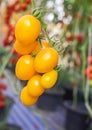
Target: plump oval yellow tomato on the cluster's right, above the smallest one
{"x":46,"y":60}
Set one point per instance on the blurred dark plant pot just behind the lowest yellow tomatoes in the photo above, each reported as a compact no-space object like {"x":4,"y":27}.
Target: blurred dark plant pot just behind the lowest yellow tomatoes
{"x":50,"y":101}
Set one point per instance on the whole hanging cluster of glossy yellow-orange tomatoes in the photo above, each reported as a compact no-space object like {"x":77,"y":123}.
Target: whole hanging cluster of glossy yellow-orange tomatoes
{"x":38,"y":70}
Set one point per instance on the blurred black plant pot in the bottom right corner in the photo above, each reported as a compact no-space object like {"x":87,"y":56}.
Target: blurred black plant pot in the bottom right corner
{"x":76,"y":118}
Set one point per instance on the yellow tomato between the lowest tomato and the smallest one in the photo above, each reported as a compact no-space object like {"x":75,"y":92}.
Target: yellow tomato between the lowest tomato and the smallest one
{"x":34,"y":86}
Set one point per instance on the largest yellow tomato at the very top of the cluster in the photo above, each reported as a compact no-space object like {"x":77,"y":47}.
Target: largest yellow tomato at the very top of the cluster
{"x":27,"y":29}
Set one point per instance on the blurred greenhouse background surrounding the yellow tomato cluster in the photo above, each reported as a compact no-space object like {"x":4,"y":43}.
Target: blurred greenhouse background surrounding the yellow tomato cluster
{"x":68,"y":105}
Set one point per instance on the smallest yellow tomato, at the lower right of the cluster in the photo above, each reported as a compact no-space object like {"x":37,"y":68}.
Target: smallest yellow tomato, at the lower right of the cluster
{"x":49,"y":79}
